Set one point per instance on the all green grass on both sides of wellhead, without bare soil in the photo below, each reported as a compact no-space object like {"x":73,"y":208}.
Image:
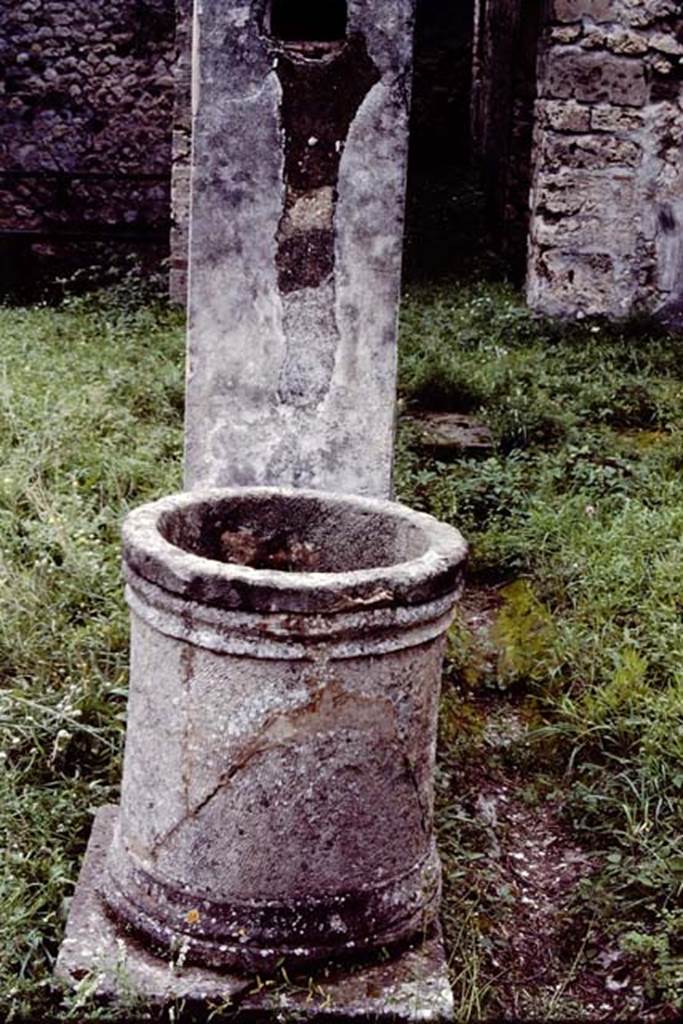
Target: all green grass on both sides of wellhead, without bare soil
{"x":577,"y":517}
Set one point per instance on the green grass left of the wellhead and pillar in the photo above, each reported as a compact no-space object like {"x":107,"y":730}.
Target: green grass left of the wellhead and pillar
{"x":91,"y":425}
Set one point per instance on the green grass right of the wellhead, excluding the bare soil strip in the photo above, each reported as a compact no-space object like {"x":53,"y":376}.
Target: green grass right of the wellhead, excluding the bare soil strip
{"x":581,"y":504}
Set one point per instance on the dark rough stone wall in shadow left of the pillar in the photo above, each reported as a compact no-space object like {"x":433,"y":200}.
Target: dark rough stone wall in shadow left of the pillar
{"x":86,"y":126}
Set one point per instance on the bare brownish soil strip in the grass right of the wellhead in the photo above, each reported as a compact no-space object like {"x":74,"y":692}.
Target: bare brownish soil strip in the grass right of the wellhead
{"x":546,"y":956}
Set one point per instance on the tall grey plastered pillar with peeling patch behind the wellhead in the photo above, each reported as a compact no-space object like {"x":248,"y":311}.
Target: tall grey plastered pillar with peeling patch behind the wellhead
{"x":301,"y":129}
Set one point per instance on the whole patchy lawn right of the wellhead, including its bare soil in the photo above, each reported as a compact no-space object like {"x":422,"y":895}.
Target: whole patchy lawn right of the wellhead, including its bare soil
{"x":562,"y":760}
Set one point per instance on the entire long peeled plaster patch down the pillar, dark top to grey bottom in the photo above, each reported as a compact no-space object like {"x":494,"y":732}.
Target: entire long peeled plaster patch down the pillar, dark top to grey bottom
{"x":321,"y":99}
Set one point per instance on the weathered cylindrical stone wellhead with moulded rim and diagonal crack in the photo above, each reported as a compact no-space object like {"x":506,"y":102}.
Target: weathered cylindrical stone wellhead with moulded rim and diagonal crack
{"x":278,"y":786}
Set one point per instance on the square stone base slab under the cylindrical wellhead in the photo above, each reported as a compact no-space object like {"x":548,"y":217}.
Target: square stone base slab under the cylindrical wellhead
{"x":116,"y":969}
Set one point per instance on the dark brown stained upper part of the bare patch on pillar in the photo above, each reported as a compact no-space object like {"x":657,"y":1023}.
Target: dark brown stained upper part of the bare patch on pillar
{"x":324,"y":86}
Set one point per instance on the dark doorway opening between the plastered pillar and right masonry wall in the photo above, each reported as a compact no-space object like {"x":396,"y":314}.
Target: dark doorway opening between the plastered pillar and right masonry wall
{"x":472,"y":140}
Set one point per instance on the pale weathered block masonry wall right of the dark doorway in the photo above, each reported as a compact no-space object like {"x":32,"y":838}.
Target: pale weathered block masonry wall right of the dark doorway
{"x":608,"y":195}
